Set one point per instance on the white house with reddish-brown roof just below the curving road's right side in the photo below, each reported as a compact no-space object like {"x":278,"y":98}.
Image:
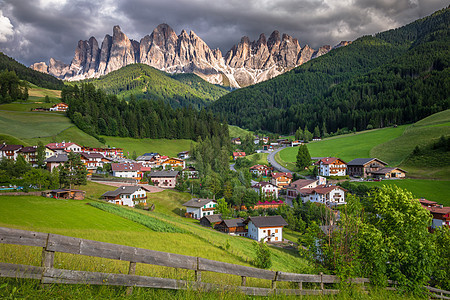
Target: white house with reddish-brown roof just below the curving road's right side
{"x":329,"y":195}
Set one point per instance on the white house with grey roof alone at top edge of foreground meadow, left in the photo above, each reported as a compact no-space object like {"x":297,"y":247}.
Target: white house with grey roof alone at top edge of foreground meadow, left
{"x":127,"y":195}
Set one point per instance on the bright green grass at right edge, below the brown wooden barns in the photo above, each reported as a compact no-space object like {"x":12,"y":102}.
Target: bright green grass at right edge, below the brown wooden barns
{"x":434,"y":190}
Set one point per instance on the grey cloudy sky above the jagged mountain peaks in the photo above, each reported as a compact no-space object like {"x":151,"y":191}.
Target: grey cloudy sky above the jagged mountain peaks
{"x":35,"y":30}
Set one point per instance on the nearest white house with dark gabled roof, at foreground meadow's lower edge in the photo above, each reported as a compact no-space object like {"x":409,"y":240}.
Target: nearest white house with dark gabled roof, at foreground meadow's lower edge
{"x":267,"y":229}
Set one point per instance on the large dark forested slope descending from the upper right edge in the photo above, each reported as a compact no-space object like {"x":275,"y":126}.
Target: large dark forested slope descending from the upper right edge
{"x":394,"y":77}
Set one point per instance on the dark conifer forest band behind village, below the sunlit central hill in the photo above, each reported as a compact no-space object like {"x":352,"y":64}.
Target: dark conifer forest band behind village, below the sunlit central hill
{"x":97,"y":113}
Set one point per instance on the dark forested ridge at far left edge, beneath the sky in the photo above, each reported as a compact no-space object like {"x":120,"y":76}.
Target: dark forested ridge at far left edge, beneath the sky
{"x":25,"y":73}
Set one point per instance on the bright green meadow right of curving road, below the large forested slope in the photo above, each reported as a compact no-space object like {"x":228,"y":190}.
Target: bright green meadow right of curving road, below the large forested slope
{"x":346,"y":147}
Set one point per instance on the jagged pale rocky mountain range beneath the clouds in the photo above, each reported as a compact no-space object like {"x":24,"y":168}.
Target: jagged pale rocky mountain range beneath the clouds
{"x":246,"y":63}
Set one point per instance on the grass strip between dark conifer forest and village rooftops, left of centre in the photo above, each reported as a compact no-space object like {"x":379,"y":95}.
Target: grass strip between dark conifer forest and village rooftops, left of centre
{"x":141,"y":146}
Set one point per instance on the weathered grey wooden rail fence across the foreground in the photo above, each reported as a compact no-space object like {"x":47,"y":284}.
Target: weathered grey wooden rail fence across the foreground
{"x":52,"y":243}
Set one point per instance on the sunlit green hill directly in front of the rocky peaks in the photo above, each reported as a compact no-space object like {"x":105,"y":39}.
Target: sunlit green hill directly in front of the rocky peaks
{"x":141,"y":81}
